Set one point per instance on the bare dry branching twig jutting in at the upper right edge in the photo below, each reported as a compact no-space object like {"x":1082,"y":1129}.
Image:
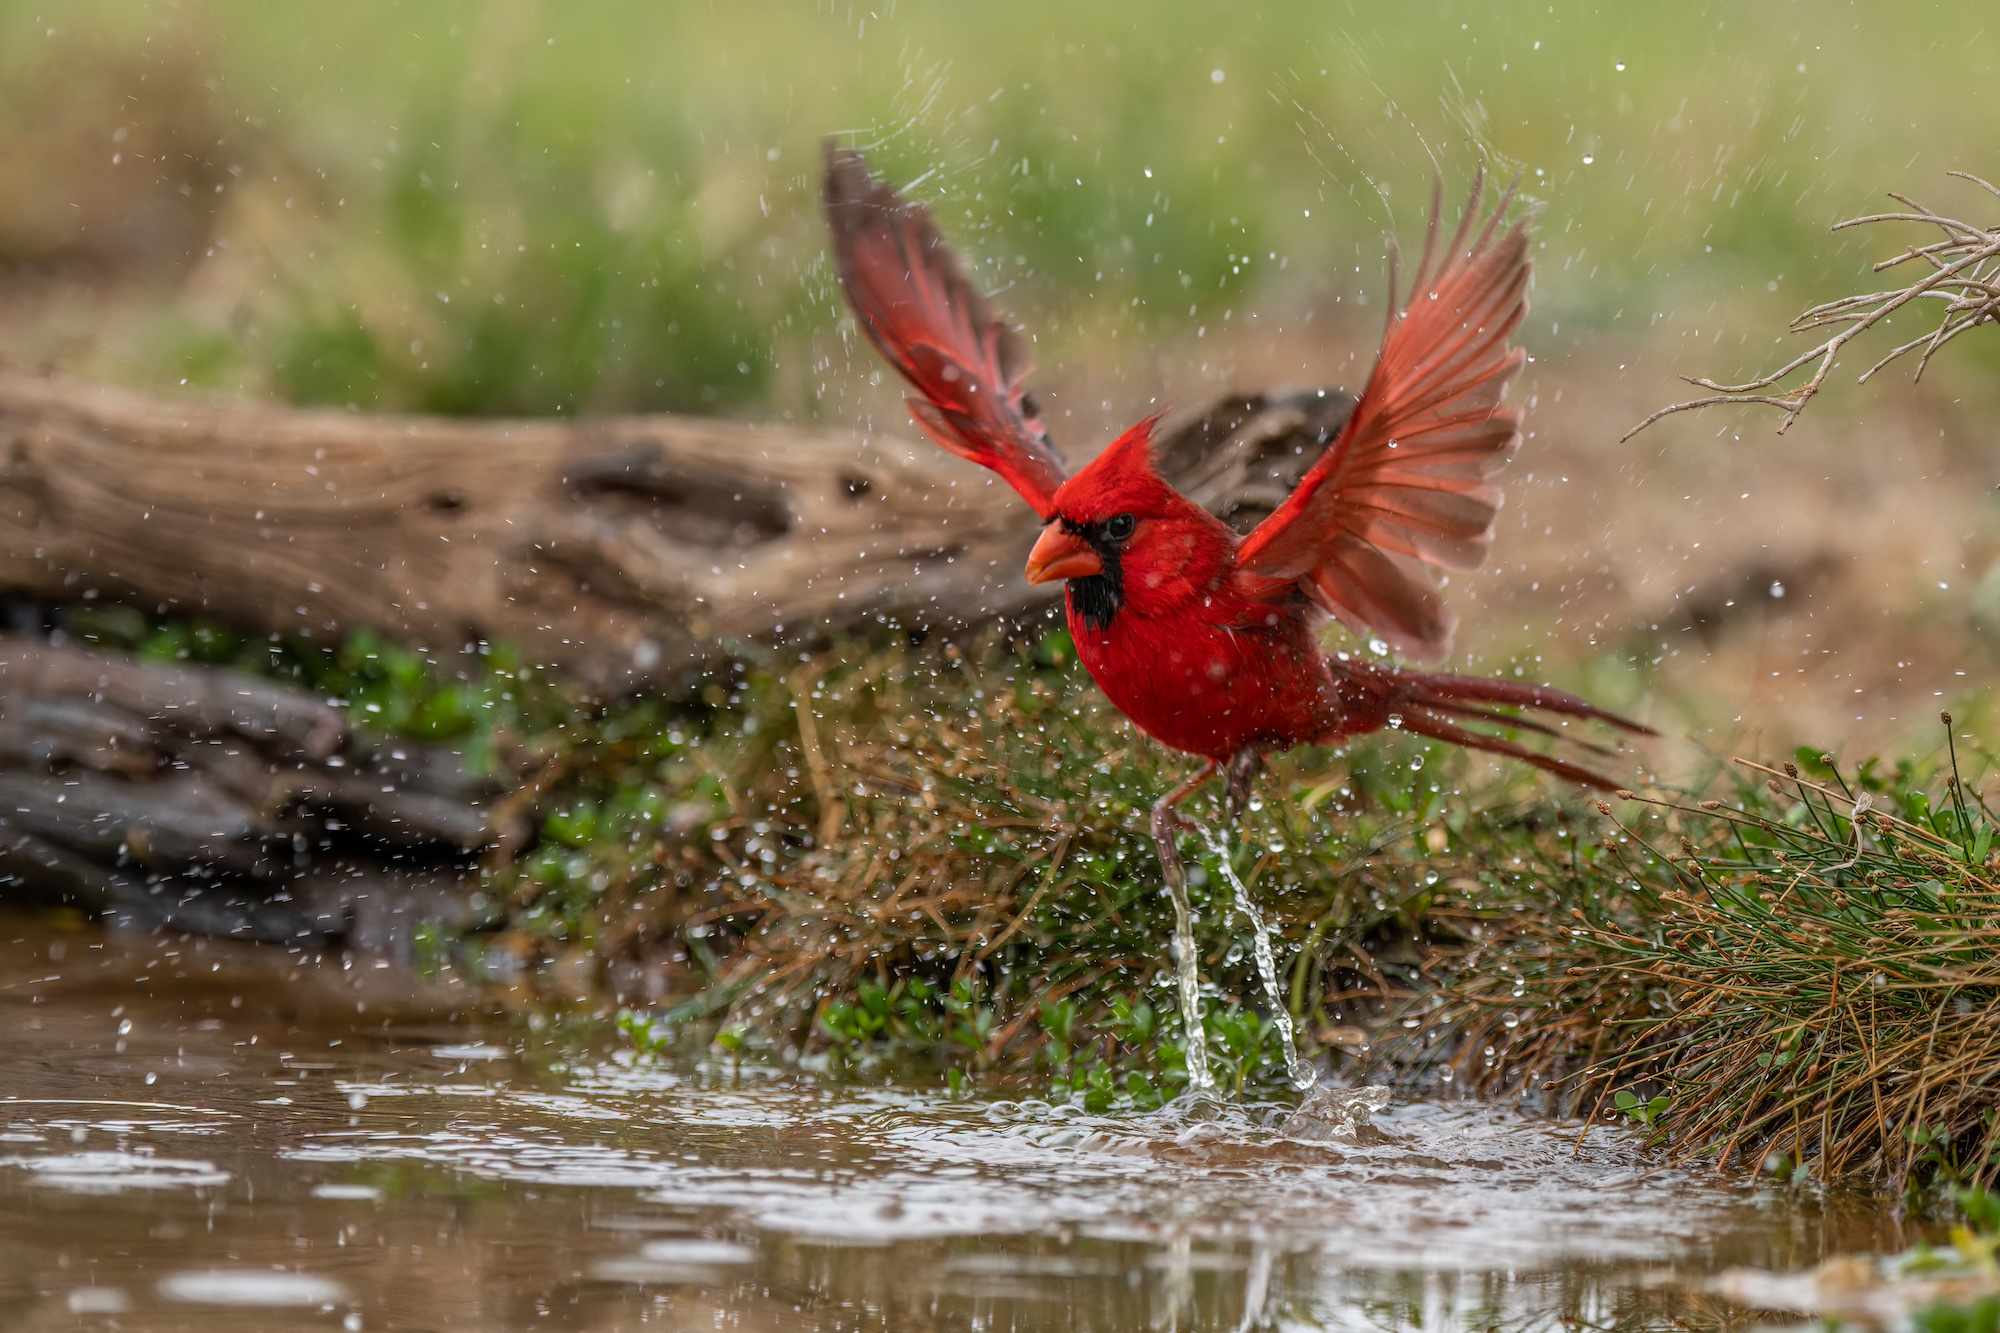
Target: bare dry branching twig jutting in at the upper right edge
{"x":1963,"y":271}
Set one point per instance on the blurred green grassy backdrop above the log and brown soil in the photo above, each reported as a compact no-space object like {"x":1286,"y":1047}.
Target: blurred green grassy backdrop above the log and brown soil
{"x":525,"y":207}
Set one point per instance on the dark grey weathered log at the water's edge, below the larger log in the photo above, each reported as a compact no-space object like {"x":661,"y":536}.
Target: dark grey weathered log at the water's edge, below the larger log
{"x":213,"y":802}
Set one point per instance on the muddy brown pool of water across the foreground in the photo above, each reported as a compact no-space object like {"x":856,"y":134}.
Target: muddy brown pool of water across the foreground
{"x":199,"y":1136}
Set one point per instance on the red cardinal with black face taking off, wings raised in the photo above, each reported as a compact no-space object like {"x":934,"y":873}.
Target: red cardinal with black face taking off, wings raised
{"x":1209,"y":641}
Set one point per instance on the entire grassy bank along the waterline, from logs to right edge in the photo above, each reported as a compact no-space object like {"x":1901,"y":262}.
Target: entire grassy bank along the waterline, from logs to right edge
{"x":933,"y":864}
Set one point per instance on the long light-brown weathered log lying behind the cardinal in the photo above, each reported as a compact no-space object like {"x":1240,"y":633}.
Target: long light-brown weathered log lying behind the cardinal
{"x":619,"y":551}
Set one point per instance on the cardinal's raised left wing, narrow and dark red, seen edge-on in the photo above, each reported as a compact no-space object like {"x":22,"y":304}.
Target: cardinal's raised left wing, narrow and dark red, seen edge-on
{"x":961,"y":355}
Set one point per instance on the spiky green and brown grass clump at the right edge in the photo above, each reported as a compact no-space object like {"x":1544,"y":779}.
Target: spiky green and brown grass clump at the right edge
{"x":1799,"y":978}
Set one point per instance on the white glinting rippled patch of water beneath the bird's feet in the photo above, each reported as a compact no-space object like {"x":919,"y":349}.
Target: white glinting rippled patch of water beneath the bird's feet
{"x":1451,"y":1186}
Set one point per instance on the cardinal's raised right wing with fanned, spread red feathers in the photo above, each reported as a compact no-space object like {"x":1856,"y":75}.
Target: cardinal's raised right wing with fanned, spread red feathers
{"x":1405,"y":483}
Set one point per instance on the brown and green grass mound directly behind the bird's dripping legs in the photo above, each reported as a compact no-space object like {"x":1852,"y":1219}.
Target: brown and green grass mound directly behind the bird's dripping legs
{"x":977,"y":824}
